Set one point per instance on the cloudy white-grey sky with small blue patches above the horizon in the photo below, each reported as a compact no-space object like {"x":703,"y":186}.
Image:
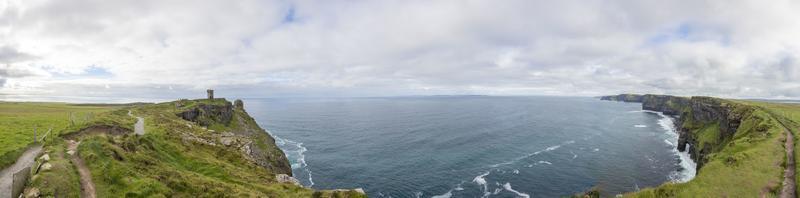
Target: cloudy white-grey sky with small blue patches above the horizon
{"x":166,"y":49}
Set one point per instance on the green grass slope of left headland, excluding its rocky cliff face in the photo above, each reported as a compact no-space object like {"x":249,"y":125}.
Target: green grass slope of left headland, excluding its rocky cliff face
{"x":161,"y":164}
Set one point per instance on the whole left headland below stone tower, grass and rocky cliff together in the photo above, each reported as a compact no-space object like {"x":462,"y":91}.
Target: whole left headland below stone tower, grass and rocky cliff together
{"x":220,"y":152}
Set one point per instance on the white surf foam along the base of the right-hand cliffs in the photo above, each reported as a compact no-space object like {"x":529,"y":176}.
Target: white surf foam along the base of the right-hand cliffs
{"x":688,"y":166}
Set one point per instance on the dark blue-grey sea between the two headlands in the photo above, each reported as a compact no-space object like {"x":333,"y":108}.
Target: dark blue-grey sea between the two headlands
{"x":471,"y":146}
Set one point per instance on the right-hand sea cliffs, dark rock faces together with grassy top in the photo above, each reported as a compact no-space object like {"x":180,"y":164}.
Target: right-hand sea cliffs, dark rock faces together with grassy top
{"x":735,"y":144}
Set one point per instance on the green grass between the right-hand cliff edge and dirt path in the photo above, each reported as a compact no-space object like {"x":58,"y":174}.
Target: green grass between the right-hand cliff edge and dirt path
{"x":749,"y":165}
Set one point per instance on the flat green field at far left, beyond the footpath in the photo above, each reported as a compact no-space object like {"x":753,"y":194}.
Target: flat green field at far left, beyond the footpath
{"x":18,"y":120}
